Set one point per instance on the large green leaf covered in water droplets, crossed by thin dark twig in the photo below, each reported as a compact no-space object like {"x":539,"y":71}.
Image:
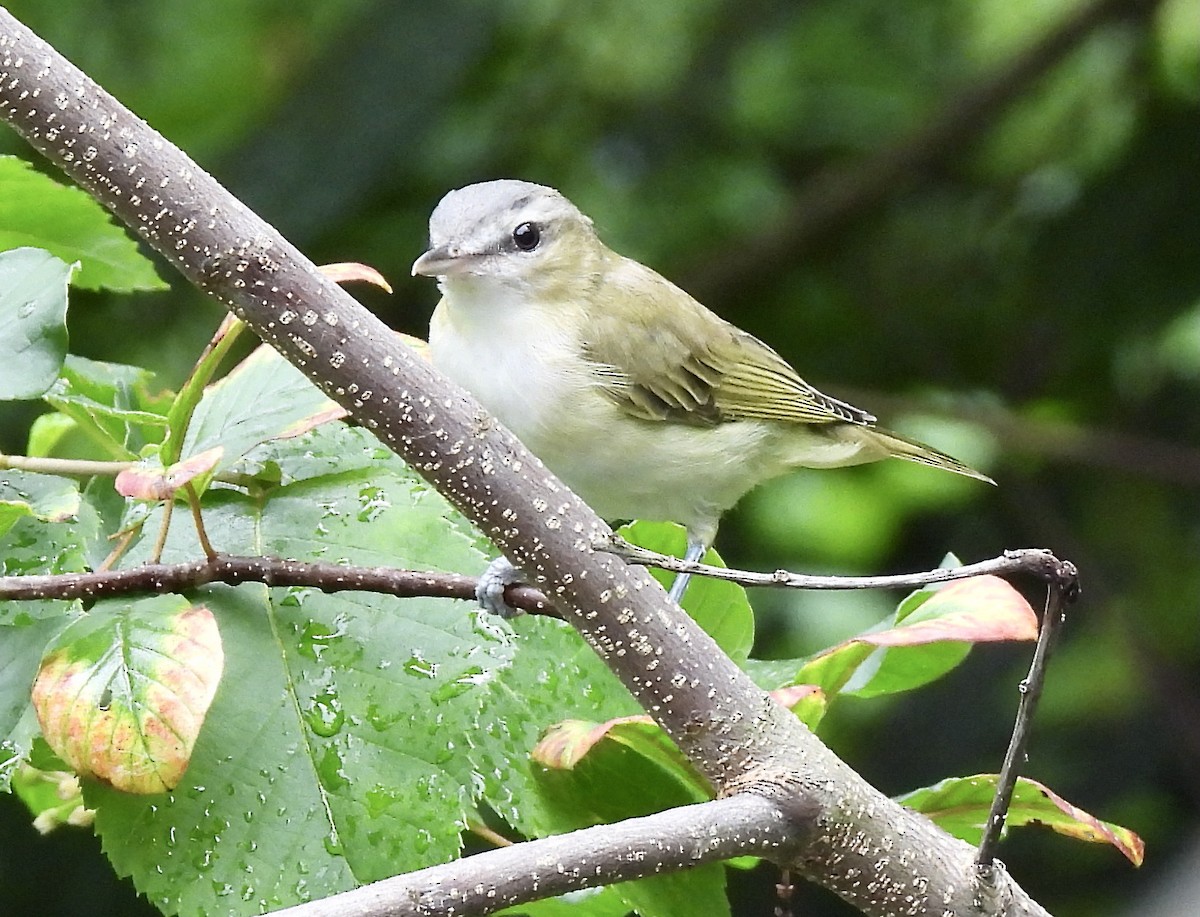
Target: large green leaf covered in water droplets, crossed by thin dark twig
{"x":341,"y":747}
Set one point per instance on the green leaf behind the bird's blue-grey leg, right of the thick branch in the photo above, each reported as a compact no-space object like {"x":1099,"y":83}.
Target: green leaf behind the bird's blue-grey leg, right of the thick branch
{"x":719,"y":607}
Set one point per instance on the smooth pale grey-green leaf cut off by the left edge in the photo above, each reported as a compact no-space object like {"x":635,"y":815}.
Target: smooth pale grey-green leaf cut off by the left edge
{"x":33,"y":315}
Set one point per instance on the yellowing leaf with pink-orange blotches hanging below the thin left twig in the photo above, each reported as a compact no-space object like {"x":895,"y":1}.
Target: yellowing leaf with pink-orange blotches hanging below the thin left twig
{"x":123,"y":693}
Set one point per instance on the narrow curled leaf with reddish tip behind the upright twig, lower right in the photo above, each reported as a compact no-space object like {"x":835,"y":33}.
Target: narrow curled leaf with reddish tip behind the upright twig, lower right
{"x":961,"y":806}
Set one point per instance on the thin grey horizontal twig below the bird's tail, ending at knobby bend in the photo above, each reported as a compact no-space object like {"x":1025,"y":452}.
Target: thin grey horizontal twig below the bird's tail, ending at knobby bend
{"x":1034,"y":561}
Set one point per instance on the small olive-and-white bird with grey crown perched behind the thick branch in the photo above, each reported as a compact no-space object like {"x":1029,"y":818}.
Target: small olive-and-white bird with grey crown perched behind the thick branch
{"x":641,"y":400}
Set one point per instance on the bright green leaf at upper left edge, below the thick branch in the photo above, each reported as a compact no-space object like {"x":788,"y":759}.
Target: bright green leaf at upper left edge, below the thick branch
{"x":38,"y":212}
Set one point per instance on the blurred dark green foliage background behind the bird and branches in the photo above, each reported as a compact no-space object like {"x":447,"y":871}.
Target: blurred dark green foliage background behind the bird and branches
{"x":977,"y":219}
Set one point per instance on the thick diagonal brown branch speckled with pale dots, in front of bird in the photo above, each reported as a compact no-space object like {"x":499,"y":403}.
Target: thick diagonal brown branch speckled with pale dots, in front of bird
{"x":869,"y":850}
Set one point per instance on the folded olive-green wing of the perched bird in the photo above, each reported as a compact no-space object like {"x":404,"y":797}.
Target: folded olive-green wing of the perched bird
{"x":661,"y":356}
